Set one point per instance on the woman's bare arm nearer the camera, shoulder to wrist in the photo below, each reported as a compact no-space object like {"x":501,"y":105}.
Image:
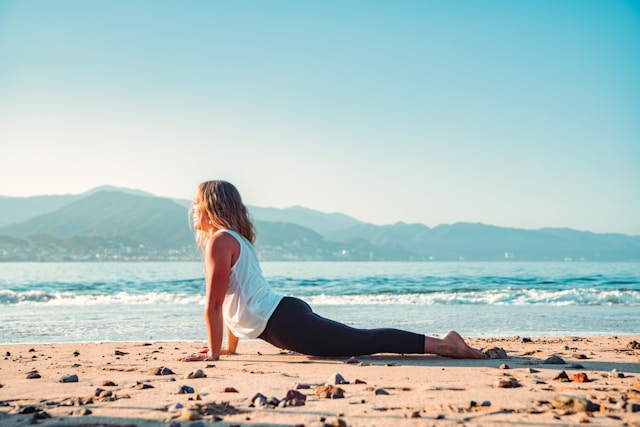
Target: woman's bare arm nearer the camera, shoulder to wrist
{"x":220,"y":254}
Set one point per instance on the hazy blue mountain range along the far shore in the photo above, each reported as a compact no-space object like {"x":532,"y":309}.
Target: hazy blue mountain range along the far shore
{"x":110,"y":223}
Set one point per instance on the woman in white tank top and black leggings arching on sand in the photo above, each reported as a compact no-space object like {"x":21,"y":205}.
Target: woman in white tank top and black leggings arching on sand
{"x":239,"y":297}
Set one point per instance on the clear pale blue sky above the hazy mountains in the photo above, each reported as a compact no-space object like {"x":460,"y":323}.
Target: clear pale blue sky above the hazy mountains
{"x":519,"y":114}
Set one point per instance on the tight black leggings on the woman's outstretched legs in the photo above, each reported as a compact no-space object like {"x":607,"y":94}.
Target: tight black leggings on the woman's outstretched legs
{"x":294,"y":326}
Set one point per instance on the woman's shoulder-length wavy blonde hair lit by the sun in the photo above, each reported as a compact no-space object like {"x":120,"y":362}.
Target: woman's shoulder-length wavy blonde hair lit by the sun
{"x":223,"y":205}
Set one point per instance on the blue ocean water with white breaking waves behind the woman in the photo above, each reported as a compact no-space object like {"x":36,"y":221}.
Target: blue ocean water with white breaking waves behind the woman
{"x":164,"y":301}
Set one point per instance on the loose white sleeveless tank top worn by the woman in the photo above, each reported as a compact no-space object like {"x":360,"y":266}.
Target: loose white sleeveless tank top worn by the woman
{"x":249,"y":302}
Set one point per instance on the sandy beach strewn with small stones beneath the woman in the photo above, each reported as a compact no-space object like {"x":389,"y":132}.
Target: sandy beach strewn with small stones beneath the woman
{"x":532,"y":381}
